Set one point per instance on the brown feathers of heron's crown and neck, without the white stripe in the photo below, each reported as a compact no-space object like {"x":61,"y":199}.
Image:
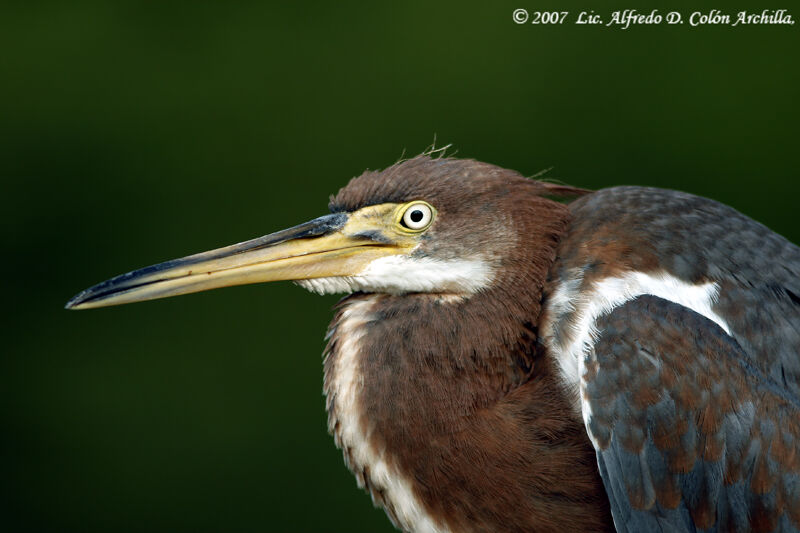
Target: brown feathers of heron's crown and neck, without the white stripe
{"x":459,"y":394}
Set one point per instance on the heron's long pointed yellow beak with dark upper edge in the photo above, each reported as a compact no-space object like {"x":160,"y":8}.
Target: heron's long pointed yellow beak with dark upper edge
{"x":331,"y":245}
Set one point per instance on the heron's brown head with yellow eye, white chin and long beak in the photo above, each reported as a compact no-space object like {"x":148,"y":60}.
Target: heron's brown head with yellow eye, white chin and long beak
{"x":425,"y":225}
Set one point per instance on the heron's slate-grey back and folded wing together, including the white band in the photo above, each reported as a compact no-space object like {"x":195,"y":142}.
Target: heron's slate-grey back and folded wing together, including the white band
{"x":677,"y":319}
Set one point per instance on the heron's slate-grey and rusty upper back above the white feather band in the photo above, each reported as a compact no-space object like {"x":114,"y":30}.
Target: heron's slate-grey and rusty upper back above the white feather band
{"x":698,"y":240}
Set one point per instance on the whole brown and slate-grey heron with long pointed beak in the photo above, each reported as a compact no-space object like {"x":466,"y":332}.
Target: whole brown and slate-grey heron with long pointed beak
{"x":517,"y":355}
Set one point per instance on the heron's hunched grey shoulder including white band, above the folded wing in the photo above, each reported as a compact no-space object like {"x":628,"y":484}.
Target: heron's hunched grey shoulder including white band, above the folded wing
{"x":626,"y":241}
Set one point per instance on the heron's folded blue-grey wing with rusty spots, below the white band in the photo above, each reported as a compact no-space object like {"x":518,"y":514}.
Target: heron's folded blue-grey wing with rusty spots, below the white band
{"x":689,"y":435}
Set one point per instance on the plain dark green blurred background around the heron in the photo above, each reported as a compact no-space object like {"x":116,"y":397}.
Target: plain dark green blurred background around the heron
{"x":131,"y":133}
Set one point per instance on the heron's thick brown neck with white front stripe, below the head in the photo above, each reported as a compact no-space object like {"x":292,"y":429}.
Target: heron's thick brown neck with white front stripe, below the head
{"x":449,"y":417}
